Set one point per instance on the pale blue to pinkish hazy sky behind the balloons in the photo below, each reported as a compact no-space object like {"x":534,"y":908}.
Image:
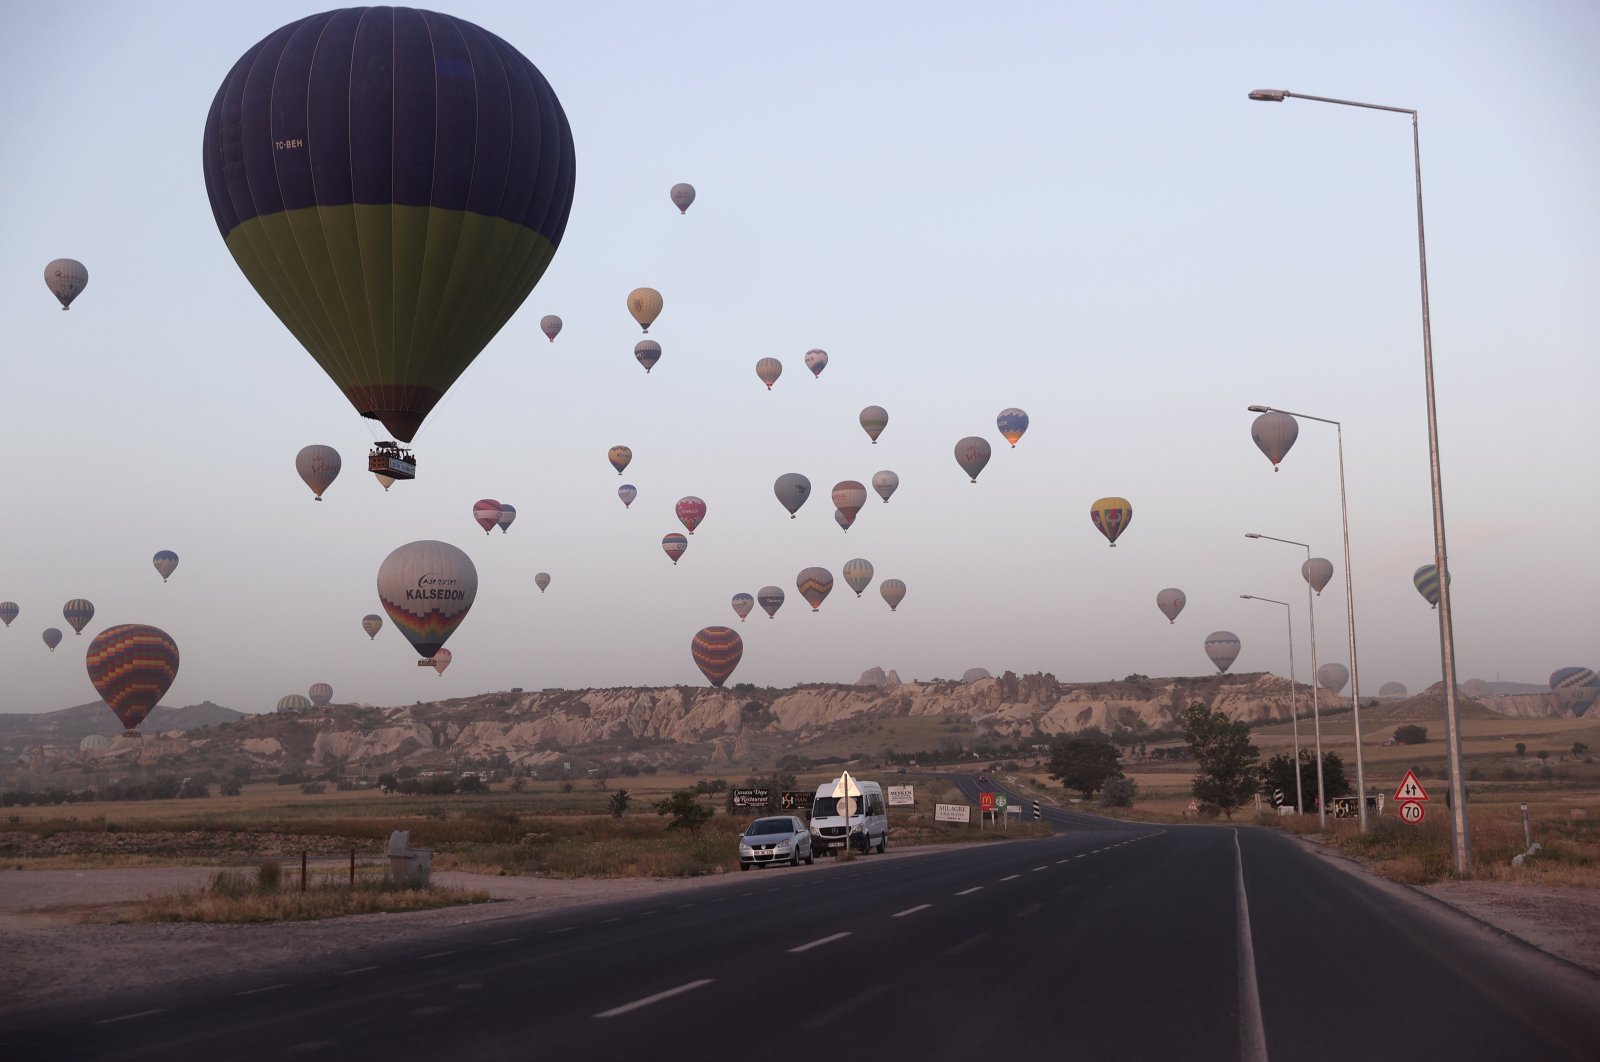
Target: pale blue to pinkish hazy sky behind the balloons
{"x":1063,"y":207}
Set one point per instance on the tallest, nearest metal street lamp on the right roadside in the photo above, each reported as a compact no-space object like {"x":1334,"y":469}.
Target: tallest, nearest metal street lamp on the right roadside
{"x":1447,"y":639}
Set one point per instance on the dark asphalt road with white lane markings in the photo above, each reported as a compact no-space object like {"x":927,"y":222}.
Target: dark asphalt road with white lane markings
{"x":1121,"y":941}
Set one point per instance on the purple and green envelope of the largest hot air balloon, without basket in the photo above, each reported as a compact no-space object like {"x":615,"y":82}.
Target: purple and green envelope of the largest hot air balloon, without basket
{"x":393,"y":183}
